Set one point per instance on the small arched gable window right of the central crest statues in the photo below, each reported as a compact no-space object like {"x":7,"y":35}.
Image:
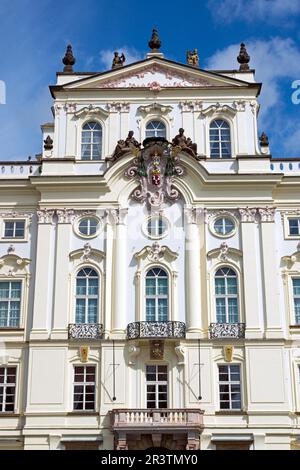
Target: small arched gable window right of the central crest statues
{"x":219,"y":137}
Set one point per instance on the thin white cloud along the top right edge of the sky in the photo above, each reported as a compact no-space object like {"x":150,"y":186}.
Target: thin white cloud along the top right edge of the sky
{"x":254,"y":10}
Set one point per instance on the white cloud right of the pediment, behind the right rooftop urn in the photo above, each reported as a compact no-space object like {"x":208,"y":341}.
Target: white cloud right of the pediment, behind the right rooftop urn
{"x":277,"y":64}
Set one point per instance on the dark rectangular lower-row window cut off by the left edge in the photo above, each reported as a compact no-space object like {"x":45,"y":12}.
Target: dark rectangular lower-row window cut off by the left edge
{"x":7,"y":389}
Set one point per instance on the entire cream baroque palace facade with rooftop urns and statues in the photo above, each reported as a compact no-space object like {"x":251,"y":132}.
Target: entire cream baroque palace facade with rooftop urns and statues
{"x":150,"y":276}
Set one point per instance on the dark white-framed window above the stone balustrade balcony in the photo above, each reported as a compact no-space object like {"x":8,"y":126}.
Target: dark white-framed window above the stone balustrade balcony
{"x":157,"y":386}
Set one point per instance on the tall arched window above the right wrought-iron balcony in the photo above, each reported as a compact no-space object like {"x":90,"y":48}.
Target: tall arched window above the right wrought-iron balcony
{"x":226,"y":295}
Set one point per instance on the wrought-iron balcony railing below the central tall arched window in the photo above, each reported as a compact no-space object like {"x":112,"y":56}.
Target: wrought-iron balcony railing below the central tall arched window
{"x":157,"y":329}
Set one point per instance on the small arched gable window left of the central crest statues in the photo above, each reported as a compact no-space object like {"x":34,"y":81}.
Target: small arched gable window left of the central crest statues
{"x":91,"y":141}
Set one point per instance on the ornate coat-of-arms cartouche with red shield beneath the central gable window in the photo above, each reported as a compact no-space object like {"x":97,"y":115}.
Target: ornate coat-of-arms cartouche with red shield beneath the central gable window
{"x":155,"y":168}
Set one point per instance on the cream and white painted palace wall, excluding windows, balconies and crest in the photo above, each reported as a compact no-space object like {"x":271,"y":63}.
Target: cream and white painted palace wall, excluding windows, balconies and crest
{"x":61,"y":189}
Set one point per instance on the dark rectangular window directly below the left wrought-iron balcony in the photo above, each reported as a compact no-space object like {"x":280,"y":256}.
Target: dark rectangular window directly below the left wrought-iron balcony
{"x":84,"y":388}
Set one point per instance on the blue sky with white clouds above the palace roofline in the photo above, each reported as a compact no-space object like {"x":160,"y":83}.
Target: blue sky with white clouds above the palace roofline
{"x":34,"y":35}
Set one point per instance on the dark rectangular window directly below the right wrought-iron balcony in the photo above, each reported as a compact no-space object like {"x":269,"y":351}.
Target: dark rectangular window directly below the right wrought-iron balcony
{"x":230,"y":387}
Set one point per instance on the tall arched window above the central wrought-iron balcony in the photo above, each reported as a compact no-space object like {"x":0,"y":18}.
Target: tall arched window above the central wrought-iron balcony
{"x":157,"y":295}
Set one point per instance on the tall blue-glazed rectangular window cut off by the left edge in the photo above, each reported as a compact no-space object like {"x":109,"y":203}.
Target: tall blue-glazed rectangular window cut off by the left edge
{"x":10,"y":304}
